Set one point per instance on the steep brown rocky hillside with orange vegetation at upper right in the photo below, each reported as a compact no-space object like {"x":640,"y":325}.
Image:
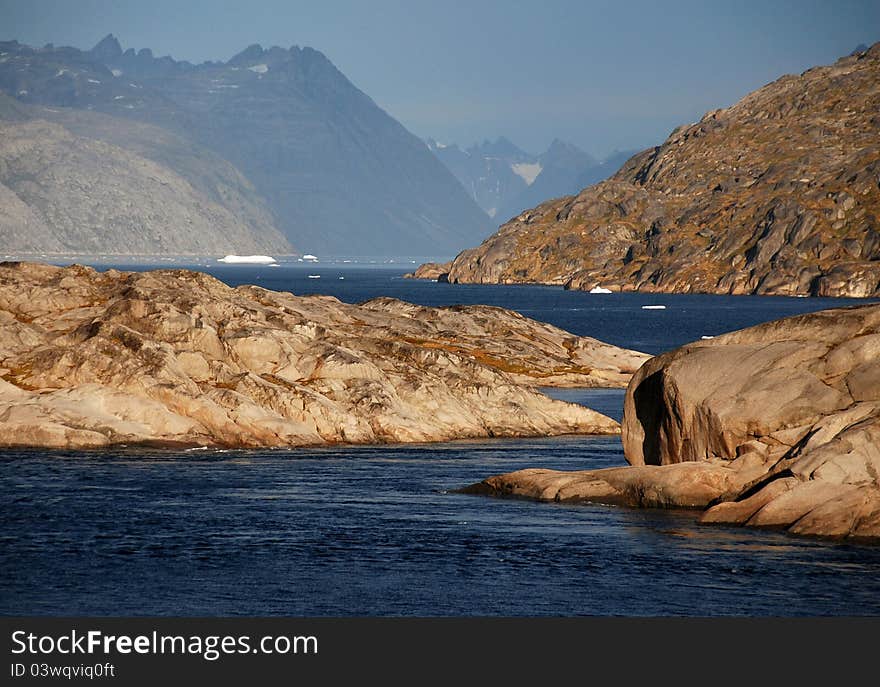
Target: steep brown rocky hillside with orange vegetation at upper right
{"x":777,"y":194}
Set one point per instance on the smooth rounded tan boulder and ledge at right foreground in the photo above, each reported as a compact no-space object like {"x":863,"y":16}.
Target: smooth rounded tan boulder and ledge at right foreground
{"x":775,"y":426}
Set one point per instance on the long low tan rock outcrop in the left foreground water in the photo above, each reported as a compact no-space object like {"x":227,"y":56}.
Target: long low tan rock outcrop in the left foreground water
{"x":91,"y":359}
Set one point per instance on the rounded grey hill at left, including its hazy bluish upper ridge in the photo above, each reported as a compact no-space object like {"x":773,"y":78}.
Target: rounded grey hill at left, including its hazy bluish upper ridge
{"x":83,"y":182}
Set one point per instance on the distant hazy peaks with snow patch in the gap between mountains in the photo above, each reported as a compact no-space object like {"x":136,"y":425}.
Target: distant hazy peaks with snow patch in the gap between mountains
{"x":504,"y":180}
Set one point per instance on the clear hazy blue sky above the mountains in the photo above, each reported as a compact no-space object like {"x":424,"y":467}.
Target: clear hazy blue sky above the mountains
{"x":603,"y":75}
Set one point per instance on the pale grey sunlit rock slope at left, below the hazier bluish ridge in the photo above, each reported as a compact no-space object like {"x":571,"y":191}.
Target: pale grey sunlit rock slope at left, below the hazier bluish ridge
{"x":63,"y":192}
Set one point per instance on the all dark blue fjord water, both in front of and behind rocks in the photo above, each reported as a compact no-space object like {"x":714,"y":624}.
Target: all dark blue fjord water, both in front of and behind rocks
{"x":380,"y":531}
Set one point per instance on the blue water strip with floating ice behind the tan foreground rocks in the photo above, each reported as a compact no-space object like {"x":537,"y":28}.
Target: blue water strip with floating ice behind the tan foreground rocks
{"x":616,"y":318}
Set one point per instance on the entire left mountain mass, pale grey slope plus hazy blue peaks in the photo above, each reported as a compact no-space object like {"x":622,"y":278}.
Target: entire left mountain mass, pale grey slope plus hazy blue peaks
{"x":275,"y":147}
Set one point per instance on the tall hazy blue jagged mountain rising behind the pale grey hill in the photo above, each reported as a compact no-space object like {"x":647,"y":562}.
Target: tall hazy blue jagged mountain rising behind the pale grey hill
{"x":335,"y":172}
